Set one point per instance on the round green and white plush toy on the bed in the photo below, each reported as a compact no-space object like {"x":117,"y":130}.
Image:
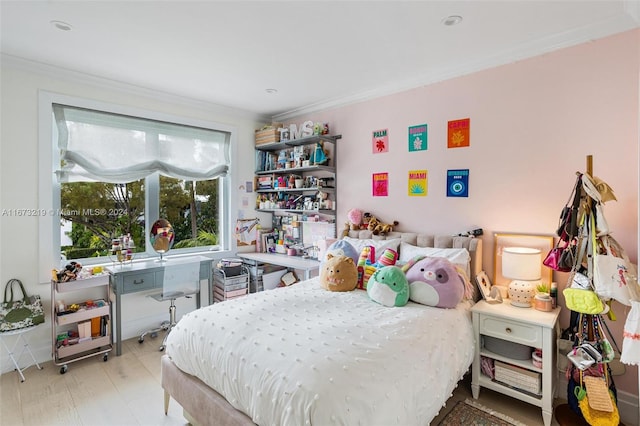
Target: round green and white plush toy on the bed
{"x":388,"y":286}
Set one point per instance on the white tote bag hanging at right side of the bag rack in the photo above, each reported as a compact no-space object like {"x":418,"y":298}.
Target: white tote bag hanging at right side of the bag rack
{"x":613,"y":272}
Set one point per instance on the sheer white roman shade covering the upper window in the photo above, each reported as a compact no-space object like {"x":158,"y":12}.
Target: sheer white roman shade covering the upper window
{"x":107,"y":147}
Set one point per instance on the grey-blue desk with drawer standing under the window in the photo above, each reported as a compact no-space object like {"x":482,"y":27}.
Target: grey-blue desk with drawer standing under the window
{"x":148,"y":275}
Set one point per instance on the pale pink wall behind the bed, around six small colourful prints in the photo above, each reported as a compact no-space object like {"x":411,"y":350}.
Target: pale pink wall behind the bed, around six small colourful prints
{"x":533,"y":123}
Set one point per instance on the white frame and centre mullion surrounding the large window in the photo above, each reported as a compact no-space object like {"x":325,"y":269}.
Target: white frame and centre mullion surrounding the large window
{"x":49,"y":187}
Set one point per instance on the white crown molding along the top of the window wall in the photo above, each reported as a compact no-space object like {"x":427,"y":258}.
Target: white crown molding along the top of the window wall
{"x":65,"y":74}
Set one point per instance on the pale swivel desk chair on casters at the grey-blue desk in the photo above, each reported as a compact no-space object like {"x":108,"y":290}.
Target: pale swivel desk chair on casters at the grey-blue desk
{"x":181,"y":279}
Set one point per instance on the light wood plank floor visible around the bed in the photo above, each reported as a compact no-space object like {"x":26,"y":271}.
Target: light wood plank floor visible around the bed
{"x":125,"y":391}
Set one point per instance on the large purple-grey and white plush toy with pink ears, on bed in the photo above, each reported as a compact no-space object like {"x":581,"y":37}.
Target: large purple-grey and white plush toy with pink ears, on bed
{"x":435,"y":281}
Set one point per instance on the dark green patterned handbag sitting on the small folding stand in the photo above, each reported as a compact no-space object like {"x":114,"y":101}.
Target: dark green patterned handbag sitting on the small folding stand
{"x":21,"y":313}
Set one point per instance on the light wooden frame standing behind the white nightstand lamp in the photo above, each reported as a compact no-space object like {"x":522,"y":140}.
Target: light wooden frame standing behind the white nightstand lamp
{"x":544,"y":243}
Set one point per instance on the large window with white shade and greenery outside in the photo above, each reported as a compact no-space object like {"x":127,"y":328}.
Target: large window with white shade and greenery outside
{"x":115,"y":174}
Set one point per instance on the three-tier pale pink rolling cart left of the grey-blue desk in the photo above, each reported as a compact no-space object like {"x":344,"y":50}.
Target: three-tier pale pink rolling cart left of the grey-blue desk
{"x":91,"y":321}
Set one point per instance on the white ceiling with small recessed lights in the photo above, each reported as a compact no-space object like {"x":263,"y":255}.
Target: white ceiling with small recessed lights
{"x":315,"y":53}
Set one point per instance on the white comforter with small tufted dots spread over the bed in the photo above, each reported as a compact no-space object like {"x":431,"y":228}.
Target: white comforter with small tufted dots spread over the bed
{"x":302,"y":355}
